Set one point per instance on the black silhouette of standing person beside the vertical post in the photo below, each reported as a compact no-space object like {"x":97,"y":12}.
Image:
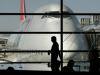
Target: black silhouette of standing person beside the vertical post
{"x":54,"y":54}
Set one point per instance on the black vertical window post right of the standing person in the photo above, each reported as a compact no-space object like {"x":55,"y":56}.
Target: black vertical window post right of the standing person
{"x":61,"y":33}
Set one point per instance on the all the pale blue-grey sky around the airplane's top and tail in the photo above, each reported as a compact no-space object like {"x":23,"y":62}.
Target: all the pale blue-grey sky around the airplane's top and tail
{"x":11,"y":23}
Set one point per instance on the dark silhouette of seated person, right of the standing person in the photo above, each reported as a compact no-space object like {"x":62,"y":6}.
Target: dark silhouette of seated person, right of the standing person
{"x":69,"y":67}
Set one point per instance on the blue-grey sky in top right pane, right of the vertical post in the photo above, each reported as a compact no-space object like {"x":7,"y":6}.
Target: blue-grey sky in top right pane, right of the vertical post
{"x":86,"y":6}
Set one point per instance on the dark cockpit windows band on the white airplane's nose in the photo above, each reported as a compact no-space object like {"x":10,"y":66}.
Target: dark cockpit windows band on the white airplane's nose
{"x":55,"y":14}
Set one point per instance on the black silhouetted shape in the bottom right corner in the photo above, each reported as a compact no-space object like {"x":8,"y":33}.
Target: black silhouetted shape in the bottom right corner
{"x":94,"y":61}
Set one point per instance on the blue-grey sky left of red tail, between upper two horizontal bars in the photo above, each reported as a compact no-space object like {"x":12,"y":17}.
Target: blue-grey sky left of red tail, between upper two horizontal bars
{"x":9,"y":23}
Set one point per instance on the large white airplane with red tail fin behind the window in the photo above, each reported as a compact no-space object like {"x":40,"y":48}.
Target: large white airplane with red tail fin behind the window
{"x":46,"y":23}
